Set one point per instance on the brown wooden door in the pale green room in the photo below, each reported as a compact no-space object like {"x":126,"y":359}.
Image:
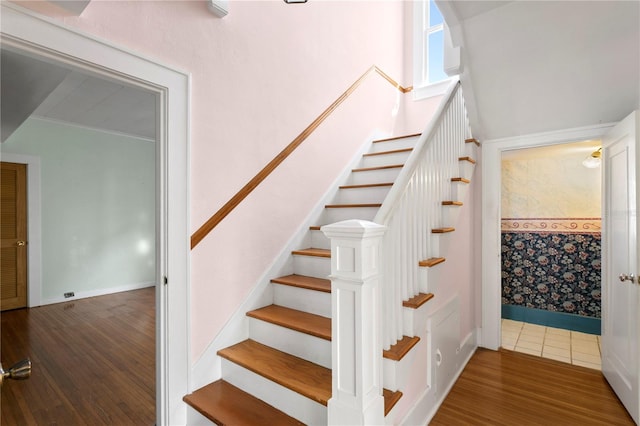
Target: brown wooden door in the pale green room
{"x":13,"y":236}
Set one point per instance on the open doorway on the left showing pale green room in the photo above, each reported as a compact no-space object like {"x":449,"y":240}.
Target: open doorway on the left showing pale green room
{"x":89,"y":144}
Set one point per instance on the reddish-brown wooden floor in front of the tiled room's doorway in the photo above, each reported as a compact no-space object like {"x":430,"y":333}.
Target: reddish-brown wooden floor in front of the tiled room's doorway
{"x":510,"y":388}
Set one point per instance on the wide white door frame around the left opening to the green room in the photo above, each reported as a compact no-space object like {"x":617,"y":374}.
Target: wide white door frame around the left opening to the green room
{"x":47,"y":39}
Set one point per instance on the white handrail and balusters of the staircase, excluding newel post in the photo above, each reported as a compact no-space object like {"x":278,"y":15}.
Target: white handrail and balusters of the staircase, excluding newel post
{"x":413,"y":208}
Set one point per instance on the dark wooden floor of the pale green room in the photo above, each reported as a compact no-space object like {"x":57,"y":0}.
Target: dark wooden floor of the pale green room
{"x":93,"y":362}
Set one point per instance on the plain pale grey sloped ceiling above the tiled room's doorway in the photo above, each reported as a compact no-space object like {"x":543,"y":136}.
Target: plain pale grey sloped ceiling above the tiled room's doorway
{"x":539,"y":66}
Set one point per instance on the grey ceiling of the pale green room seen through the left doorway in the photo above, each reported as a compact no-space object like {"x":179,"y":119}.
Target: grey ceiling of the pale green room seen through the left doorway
{"x":32,"y":88}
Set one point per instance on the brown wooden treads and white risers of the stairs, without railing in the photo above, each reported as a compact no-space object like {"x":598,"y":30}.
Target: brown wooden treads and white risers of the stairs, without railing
{"x":282,"y":373}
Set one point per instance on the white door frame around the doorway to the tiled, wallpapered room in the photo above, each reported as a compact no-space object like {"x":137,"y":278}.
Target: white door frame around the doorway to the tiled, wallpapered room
{"x":490,"y":164}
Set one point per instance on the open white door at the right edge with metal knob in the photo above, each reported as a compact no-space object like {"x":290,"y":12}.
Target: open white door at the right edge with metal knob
{"x":620,"y":286}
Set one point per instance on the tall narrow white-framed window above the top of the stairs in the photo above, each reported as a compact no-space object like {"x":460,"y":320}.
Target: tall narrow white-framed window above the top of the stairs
{"x":428,"y":49}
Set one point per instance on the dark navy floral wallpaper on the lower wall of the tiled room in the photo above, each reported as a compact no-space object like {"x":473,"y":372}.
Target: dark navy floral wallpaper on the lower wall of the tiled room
{"x":553,"y":271}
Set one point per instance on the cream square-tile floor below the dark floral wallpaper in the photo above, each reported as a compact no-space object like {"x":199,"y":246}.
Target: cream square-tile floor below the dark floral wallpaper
{"x":562,"y":345}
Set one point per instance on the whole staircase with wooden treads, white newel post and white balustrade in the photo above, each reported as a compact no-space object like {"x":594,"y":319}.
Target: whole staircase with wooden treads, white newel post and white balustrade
{"x":412,"y":186}
